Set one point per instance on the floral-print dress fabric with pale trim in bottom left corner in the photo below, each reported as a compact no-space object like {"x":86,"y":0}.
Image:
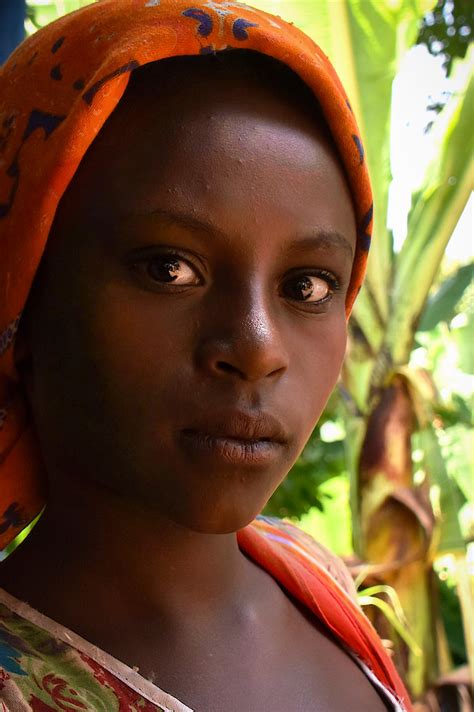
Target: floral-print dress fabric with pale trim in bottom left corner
{"x":46,"y":668}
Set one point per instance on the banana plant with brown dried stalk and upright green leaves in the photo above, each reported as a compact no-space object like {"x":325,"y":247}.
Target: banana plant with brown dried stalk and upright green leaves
{"x":395,"y":524}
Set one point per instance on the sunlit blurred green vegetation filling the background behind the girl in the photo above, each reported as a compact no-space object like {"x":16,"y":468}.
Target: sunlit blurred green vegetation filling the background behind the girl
{"x":386,"y":480}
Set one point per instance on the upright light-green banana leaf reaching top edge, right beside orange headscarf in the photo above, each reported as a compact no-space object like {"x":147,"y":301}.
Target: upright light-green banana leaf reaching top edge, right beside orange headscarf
{"x":380,"y":33}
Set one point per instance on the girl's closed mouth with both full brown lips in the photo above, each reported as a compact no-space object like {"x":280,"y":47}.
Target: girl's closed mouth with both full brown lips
{"x":236,"y":438}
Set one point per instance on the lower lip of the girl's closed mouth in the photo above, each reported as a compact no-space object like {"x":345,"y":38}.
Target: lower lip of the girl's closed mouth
{"x":231,"y":450}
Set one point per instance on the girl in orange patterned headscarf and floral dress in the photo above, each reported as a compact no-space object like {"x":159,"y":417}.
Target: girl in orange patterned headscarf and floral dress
{"x":202,"y":224}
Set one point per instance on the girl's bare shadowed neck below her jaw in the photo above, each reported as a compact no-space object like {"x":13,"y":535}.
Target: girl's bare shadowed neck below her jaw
{"x":105,"y":554}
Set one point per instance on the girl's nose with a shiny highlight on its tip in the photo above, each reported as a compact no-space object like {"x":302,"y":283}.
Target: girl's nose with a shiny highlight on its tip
{"x":242,"y":339}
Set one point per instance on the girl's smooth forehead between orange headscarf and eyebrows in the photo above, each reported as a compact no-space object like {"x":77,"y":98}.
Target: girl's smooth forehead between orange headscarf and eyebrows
{"x":237,"y":154}
